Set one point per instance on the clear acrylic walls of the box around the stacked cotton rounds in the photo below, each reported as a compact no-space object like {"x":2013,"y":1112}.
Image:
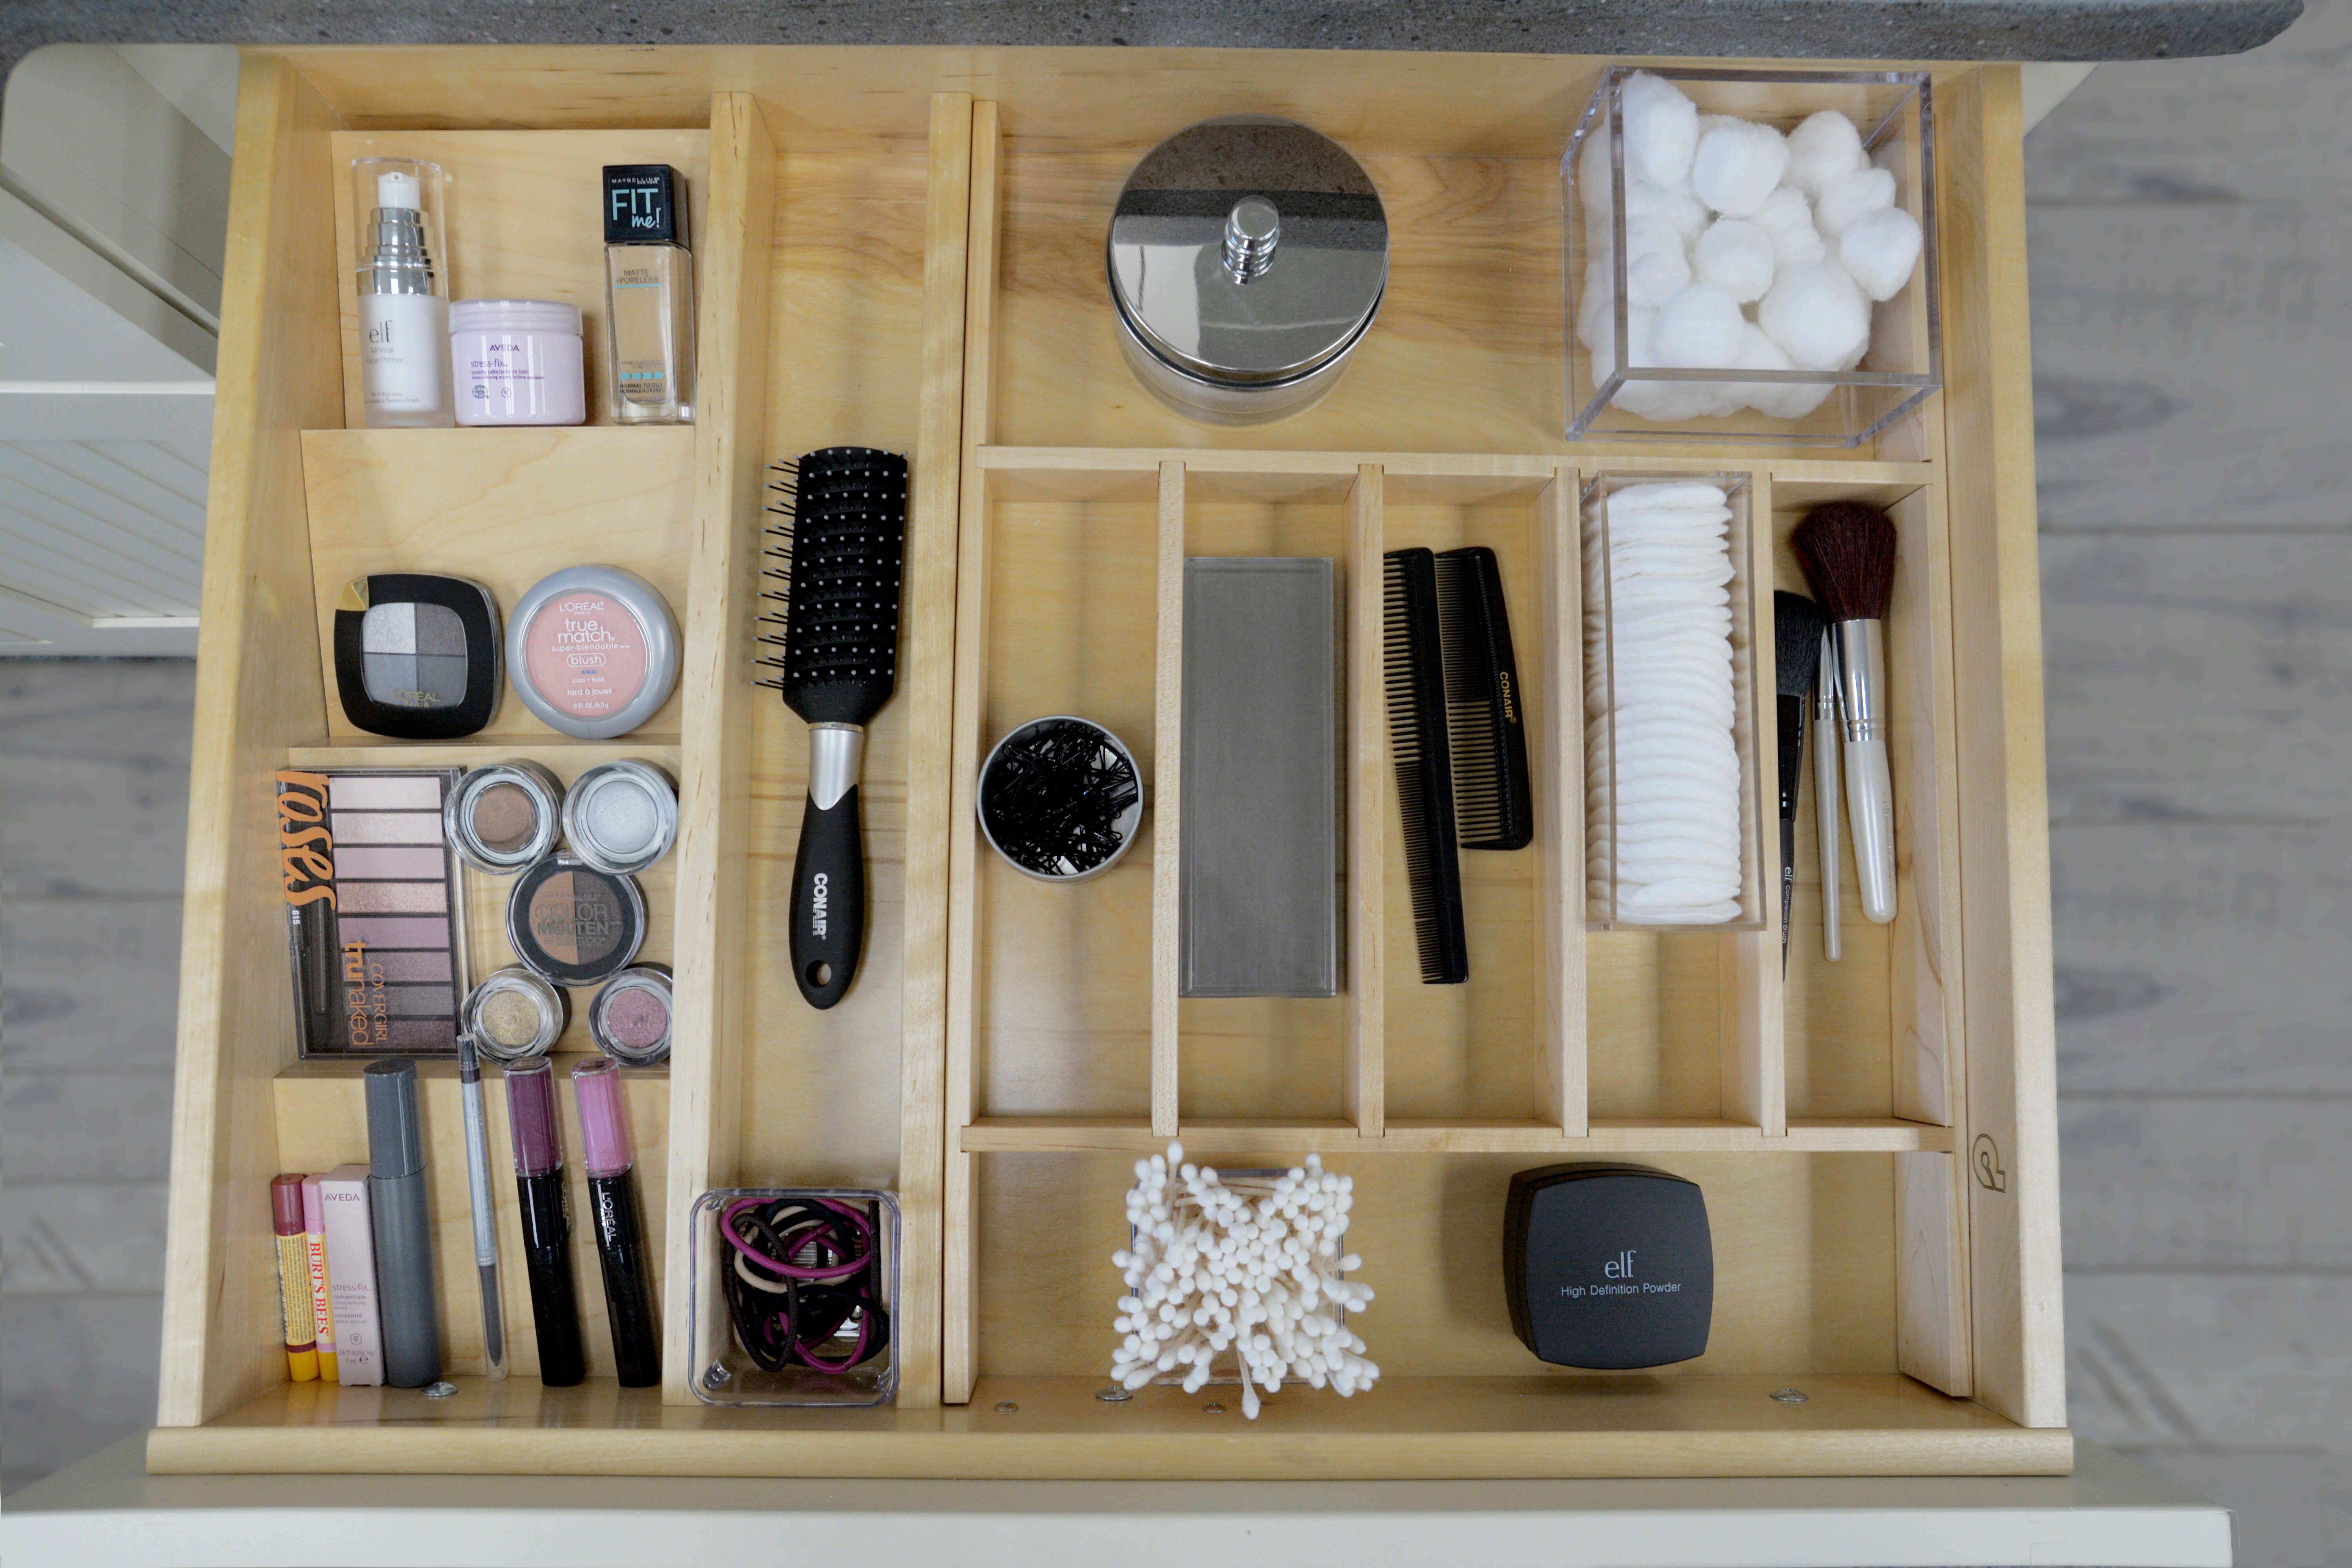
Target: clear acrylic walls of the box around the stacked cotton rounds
{"x":1751,"y":662}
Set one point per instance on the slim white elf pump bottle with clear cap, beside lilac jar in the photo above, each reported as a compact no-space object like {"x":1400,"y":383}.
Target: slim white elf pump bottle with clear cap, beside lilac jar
{"x":403,"y":293}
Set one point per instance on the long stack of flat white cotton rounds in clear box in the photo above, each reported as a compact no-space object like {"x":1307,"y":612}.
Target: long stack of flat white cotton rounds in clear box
{"x":1662,"y":765}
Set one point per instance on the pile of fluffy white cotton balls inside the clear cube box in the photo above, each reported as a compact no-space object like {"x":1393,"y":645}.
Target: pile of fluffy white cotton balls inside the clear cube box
{"x":1737,"y":234}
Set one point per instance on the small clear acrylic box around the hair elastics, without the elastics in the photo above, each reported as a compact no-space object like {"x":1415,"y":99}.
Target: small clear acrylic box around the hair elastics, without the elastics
{"x":723,"y":1372}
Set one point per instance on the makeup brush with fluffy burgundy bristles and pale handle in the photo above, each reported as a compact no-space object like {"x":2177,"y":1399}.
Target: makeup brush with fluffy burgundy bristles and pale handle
{"x":1850,"y":558}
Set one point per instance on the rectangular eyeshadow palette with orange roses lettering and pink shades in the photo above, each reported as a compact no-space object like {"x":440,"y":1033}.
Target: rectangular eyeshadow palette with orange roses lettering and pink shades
{"x":375,"y":913}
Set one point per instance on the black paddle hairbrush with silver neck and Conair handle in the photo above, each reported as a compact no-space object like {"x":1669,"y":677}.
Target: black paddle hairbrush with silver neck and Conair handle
{"x":836,"y":558}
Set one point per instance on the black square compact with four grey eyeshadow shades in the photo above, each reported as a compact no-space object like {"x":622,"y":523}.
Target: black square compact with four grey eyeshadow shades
{"x":417,"y":657}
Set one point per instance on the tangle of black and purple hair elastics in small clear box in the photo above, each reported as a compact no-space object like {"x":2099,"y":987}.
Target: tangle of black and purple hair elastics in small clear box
{"x":803,"y":1273}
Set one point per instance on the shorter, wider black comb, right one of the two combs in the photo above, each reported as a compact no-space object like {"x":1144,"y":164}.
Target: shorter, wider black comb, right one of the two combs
{"x":1495,"y":805}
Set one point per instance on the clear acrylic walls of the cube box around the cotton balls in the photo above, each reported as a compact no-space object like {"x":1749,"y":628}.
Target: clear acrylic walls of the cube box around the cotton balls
{"x":1904,"y":361}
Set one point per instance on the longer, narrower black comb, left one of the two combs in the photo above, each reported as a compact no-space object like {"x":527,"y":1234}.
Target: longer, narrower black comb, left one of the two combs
{"x":1417,"y":739}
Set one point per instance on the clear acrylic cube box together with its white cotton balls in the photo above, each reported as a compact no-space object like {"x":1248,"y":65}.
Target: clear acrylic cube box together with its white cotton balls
{"x":1619,"y":262}
